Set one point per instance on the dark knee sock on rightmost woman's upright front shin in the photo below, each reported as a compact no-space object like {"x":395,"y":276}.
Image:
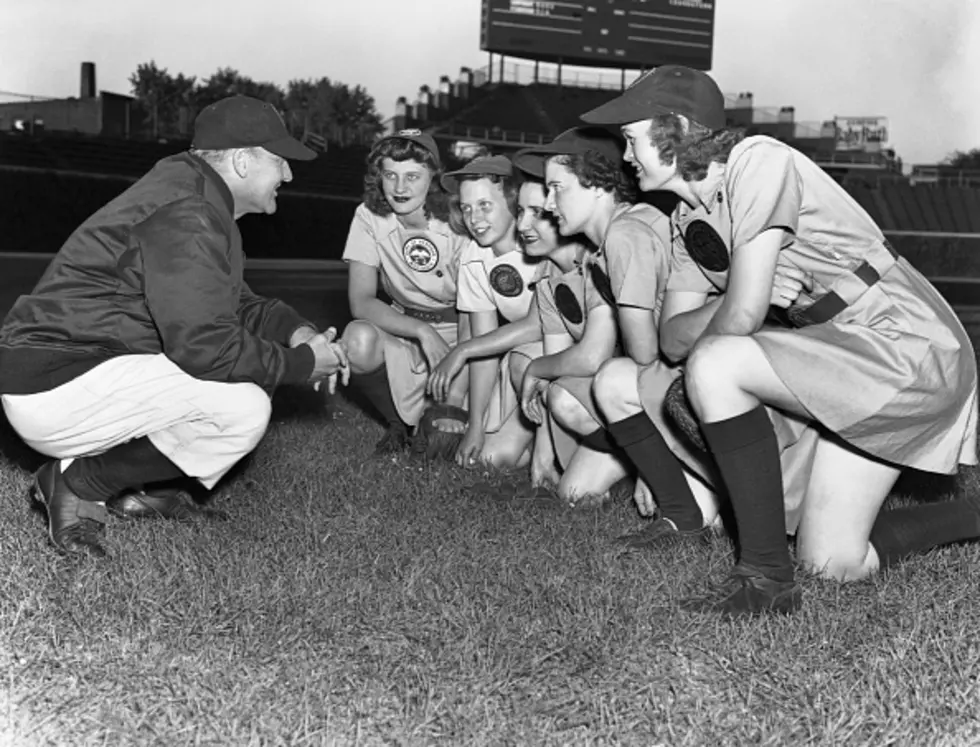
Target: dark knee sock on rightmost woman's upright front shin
{"x":747,"y":454}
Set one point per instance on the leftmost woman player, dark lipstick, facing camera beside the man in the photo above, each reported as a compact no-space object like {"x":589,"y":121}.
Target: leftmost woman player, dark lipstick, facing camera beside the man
{"x":400,"y":235}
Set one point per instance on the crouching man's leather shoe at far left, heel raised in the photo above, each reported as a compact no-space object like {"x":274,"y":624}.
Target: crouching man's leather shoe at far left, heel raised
{"x":74,"y":525}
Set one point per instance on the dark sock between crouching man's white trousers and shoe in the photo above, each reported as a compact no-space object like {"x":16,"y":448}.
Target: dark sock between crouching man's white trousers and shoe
{"x":129,"y":465}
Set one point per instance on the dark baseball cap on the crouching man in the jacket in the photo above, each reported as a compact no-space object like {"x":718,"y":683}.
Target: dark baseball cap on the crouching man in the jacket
{"x":244,"y":122}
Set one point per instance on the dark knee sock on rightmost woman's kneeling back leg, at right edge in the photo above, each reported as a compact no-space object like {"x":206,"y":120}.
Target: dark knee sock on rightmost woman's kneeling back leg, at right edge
{"x":904,"y":531}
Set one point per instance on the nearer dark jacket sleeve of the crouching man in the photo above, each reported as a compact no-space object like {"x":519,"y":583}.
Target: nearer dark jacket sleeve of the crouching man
{"x":193,"y":297}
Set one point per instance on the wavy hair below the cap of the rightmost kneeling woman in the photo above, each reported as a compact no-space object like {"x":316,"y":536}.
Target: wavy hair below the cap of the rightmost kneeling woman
{"x":693,"y":145}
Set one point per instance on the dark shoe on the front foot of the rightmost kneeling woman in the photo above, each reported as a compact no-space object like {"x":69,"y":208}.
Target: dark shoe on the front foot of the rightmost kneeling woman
{"x":748,"y":591}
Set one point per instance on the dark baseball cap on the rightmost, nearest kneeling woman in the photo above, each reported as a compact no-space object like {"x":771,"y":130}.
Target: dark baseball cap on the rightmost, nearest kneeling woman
{"x":669,"y":89}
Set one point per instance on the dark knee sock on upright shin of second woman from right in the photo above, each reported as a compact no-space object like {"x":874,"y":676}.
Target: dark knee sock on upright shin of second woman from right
{"x":659,"y":468}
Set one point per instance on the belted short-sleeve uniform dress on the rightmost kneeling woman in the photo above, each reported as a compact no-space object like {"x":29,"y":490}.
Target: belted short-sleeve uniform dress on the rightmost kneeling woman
{"x":891,"y":371}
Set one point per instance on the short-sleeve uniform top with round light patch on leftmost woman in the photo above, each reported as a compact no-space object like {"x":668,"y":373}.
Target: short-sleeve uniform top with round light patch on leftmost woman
{"x":418,"y":268}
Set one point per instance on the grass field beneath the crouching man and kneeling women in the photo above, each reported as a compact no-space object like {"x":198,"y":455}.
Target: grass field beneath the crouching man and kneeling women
{"x":355,"y":601}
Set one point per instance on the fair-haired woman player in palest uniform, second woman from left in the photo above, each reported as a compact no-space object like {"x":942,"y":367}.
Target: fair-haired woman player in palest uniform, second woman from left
{"x":495,"y":277}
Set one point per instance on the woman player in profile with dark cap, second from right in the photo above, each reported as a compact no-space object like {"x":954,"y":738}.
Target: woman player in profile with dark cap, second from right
{"x":589,"y":193}
